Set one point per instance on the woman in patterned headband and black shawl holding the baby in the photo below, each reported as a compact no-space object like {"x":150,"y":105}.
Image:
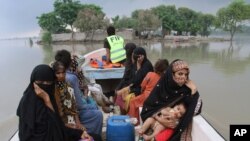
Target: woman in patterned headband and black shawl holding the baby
{"x":175,"y":84}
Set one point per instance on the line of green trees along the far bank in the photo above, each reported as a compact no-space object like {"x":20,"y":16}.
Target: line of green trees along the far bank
{"x":70,"y":15}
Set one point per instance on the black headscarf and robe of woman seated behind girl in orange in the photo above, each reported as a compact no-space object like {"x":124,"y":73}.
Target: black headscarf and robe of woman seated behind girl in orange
{"x":138,"y":75}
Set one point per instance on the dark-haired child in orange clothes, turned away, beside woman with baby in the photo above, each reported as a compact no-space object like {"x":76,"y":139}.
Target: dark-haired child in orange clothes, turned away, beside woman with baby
{"x":147,"y":85}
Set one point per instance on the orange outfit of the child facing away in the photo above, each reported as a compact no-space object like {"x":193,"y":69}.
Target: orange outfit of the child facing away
{"x":147,"y":86}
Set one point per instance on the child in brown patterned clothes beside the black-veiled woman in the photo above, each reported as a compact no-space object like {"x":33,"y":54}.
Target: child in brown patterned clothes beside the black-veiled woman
{"x":65,"y":99}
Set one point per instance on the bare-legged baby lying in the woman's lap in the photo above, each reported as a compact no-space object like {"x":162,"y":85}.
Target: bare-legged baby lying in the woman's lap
{"x":175,"y":112}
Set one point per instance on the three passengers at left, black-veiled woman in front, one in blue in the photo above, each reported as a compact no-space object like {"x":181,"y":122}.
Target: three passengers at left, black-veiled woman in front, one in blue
{"x":53,"y":106}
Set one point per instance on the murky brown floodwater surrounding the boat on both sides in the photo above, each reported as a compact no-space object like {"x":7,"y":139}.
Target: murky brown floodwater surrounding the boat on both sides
{"x":220,"y":70}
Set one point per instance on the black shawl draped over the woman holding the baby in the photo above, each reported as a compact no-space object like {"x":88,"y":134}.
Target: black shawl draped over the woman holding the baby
{"x":166,"y":92}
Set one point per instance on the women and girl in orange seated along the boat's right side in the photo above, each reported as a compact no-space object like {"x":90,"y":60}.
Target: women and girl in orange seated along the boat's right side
{"x":156,"y":88}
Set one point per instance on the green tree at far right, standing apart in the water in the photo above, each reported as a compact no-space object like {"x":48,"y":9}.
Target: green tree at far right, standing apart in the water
{"x":231,"y":17}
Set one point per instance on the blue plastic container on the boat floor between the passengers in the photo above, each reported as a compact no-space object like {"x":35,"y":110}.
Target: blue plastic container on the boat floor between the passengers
{"x":119,"y":128}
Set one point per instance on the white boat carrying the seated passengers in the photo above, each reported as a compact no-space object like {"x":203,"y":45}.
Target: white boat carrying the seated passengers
{"x":201,"y":129}
